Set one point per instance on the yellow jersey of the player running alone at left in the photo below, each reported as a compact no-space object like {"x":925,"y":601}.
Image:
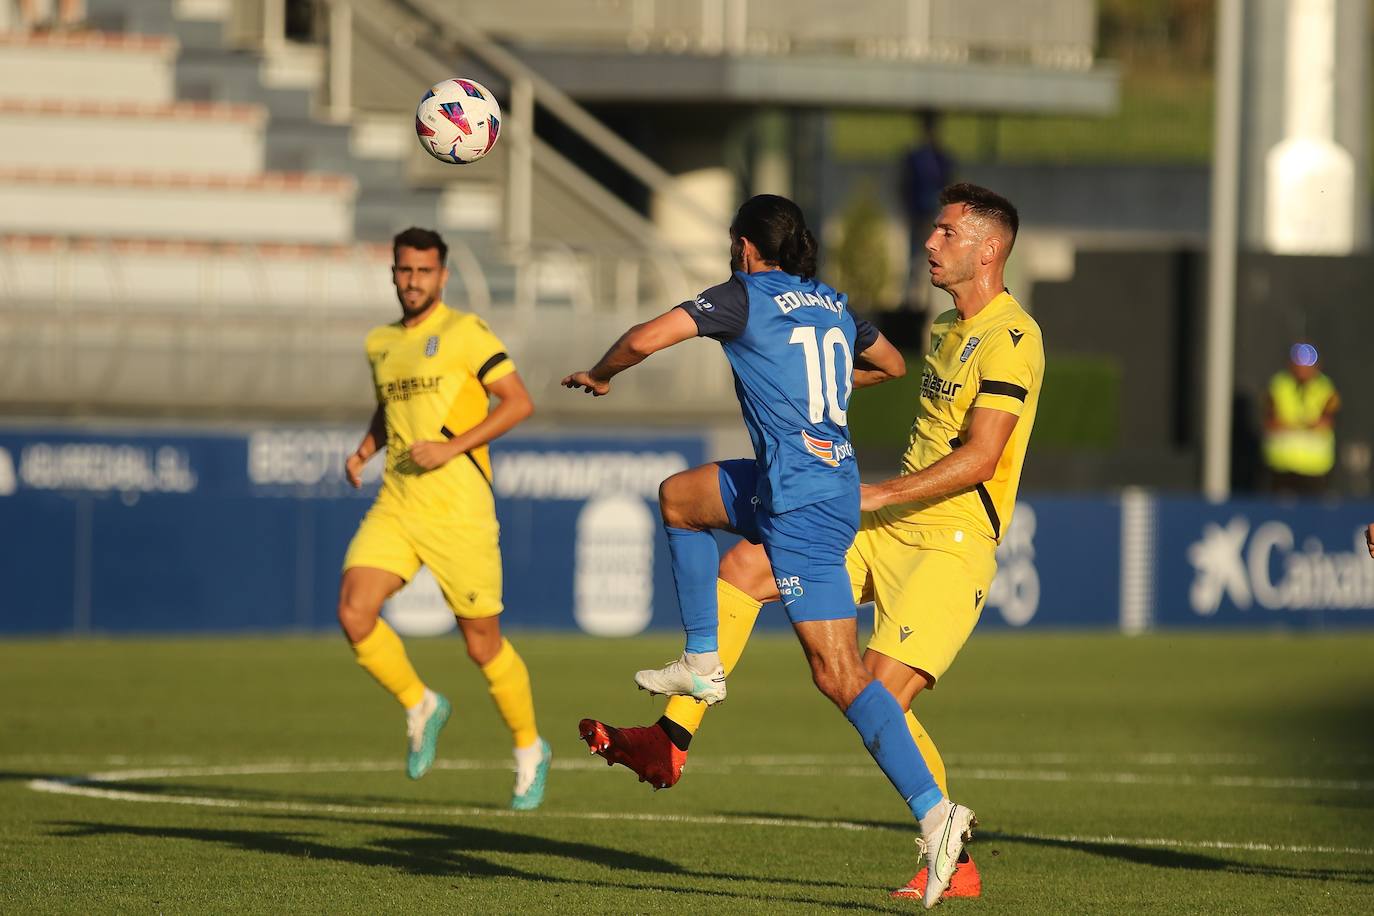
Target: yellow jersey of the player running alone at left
{"x":431,"y":382}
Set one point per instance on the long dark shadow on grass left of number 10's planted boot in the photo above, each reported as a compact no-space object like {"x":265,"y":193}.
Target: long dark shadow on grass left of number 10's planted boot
{"x":460,"y":851}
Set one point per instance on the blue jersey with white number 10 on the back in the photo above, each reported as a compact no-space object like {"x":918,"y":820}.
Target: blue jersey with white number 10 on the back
{"x":792,"y":345}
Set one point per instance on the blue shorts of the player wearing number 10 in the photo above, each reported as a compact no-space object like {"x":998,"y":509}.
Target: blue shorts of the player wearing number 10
{"x":807,"y":546}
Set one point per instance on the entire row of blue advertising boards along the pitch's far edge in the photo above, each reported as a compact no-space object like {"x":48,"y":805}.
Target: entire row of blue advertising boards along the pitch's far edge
{"x":152,"y":532}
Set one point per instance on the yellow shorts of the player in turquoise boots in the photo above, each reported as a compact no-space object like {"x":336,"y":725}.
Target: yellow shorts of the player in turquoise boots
{"x":464,"y":557}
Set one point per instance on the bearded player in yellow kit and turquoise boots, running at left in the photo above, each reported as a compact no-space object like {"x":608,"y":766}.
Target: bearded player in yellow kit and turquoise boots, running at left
{"x":436,"y":371}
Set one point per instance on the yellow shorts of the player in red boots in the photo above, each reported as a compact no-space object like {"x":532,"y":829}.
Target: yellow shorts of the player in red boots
{"x":930,"y":588}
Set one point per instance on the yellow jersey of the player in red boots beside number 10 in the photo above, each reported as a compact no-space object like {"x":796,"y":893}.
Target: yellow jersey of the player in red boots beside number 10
{"x":993,"y":360}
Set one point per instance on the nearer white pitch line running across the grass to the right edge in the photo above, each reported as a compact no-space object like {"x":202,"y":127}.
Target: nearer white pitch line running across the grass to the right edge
{"x":74,"y":788}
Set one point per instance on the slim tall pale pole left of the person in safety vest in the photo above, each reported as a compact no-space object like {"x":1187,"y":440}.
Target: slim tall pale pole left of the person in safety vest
{"x":1221,"y":321}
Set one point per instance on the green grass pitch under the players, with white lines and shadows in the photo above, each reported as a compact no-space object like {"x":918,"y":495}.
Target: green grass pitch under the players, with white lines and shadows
{"x":1111,"y":775}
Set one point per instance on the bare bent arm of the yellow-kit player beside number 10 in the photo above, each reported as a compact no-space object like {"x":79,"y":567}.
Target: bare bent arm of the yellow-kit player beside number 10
{"x":969,"y":465}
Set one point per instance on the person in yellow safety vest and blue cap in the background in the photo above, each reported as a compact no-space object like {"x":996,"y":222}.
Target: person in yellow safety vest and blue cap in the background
{"x":1299,"y":425}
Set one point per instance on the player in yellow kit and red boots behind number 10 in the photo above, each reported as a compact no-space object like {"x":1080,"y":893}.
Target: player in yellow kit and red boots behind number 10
{"x":925,"y":550}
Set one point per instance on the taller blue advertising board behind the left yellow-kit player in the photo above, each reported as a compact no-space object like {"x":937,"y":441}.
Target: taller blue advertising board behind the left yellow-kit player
{"x":148,"y":532}
